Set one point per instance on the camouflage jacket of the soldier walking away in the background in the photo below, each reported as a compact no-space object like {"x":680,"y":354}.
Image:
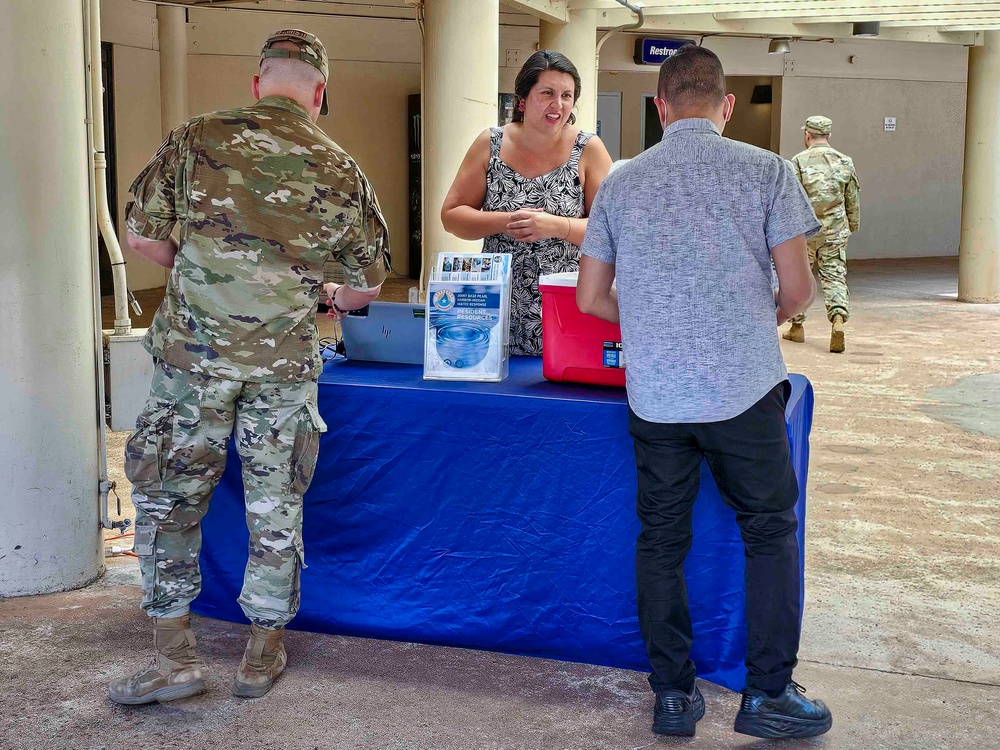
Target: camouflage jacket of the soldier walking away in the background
{"x":831,"y":183}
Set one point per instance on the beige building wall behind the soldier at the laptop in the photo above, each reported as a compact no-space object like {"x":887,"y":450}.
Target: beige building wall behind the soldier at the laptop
{"x":374,"y":66}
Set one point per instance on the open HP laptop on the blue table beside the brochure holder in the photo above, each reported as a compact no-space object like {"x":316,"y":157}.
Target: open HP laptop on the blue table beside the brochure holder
{"x":385,"y":332}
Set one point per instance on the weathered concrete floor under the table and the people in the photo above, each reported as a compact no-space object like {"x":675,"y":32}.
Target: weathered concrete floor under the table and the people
{"x":902,"y":621}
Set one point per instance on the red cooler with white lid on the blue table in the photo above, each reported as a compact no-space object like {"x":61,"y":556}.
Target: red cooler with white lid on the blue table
{"x":577,"y":348}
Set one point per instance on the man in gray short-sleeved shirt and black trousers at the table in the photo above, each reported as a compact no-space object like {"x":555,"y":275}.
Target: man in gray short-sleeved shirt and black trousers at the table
{"x":691,"y":228}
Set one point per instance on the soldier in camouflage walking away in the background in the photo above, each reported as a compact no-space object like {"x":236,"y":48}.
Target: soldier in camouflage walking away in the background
{"x":831,"y":183}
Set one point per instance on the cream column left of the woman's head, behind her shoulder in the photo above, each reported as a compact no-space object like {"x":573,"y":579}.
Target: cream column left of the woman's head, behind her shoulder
{"x":461,"y":83}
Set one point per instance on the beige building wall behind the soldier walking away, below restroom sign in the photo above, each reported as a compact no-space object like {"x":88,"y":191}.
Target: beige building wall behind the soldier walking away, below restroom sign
{"x":911,"y":179}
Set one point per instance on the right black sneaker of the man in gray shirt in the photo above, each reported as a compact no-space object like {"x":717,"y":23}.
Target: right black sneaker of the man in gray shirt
{"x":789,"y":715}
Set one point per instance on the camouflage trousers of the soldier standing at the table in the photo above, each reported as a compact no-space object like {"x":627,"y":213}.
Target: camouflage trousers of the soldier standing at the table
{"x":175,"y":459}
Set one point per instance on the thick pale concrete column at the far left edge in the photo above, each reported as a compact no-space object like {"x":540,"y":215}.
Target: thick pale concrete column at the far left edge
{"x":50,"y":537}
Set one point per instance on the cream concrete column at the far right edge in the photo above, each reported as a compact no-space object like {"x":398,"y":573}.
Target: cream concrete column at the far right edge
{"x":979,"y":256}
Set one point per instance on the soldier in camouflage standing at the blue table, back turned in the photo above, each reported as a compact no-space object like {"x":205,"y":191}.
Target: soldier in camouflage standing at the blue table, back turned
{"x":265,"y":201}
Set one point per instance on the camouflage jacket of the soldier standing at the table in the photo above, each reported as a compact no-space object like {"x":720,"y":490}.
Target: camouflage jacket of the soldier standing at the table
{"x":265,"y":199}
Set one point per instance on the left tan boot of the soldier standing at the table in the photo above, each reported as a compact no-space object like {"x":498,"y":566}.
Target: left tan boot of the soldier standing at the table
{"x":175,"y":672}
